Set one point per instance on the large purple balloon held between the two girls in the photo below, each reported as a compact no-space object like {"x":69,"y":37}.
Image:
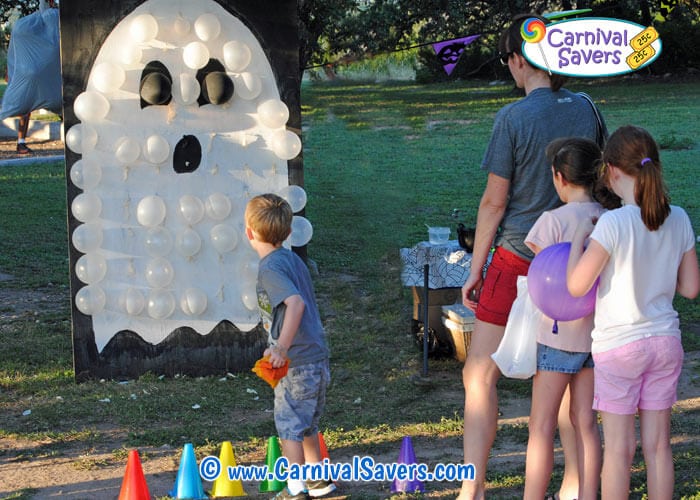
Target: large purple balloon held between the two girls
{"x":546,"y":282}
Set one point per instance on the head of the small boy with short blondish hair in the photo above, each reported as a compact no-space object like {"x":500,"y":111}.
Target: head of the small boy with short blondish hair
{"x":270,"y":216}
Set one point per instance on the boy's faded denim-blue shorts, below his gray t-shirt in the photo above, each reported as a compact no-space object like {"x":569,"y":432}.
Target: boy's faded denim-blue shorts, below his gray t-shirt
{"x":299,"y":400}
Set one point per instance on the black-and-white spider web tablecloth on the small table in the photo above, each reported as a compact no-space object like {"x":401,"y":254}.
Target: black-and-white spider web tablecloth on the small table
{"x":449,"y":265}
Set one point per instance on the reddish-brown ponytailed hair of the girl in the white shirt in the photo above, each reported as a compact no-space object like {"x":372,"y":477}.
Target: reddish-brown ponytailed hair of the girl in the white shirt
{"x":634,"y":151}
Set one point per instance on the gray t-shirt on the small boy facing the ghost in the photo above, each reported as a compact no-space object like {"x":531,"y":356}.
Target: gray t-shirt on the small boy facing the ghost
{"x":282,"y":274}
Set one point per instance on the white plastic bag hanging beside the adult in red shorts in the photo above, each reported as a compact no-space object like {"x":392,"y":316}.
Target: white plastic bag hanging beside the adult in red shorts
{"x":516,"y":355}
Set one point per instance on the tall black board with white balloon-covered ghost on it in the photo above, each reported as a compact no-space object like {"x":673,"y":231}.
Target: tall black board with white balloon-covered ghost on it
{"x":163,"y":148}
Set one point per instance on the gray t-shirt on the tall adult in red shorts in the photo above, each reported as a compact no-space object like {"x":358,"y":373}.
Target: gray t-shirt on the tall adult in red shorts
{"x":516,"y":152}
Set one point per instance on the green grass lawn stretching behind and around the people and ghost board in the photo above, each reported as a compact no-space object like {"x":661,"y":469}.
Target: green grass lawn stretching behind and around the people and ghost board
{"x":381,"y":162}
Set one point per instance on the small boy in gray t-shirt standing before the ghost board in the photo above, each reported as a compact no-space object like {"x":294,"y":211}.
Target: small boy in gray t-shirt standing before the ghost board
{"x":291,"y":318}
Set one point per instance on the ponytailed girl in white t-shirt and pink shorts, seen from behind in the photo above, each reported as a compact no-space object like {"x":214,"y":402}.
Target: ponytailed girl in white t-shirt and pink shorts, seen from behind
{"x":643,"y":253}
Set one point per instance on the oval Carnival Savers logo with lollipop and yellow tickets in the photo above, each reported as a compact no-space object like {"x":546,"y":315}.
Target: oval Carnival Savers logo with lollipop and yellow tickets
{"x":589,"y":47}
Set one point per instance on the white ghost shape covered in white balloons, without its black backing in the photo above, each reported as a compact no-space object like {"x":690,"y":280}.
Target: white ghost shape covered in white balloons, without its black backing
{"x":181,"y":123}
